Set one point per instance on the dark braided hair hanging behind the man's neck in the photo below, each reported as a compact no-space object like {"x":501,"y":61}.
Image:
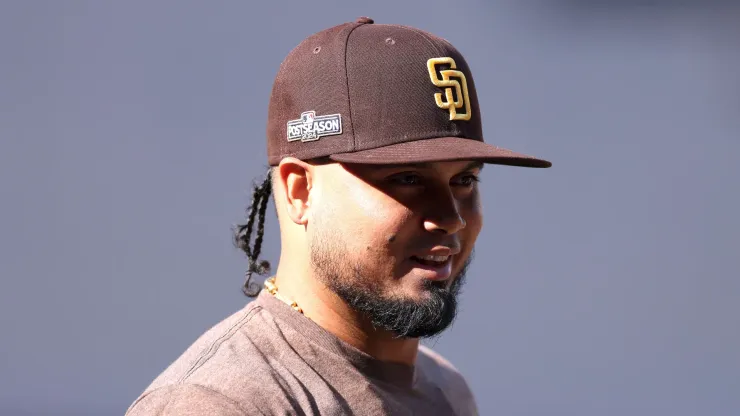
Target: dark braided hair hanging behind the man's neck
{"x":243,"y":234}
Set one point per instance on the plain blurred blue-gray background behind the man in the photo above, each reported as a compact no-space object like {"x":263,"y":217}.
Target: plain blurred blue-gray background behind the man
{"x":608,"y":285}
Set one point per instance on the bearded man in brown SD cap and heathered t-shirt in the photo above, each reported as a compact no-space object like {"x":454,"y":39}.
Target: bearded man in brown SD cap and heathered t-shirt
{"x":375,"y":145}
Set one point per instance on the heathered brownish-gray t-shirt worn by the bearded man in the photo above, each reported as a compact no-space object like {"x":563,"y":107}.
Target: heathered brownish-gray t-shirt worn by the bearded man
{"x":268,"y":359}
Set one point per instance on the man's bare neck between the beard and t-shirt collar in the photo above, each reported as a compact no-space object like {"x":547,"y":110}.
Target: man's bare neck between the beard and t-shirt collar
{"x":326,"y":309}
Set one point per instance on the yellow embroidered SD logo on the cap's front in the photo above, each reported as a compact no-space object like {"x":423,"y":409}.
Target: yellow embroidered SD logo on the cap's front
{"x":461,"y":88}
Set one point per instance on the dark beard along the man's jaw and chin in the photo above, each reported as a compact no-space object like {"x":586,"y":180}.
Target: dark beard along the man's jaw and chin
{"x":406,"y":318}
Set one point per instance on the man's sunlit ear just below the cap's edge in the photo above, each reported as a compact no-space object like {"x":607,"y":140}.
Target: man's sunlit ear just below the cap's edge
{"x":295,"y":180}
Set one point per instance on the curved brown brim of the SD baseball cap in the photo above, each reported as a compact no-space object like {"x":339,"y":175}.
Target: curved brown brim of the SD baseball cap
{"x":442,"y":149}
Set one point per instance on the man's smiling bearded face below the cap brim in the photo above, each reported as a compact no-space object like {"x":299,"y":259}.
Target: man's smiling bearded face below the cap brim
{"x":394,"y":241}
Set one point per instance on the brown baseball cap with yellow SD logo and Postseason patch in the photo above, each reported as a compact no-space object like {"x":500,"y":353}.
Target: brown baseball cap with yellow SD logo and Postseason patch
{"x":369,"y":93}
